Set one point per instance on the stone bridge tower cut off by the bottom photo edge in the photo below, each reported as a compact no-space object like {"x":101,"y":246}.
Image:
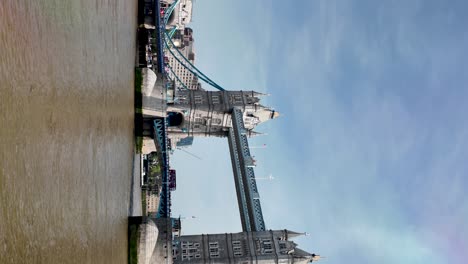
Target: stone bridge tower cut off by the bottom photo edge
{"x":264,"y":247}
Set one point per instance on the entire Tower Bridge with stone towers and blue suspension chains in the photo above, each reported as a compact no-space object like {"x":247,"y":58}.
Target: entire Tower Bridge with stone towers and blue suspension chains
{"x":222,"y":113}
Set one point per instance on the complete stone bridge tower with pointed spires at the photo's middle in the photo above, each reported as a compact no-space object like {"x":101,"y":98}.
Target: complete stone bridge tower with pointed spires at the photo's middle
{"x":208,"y":113}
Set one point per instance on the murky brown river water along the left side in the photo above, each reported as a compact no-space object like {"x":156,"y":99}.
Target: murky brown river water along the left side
{"x":66,"y":129}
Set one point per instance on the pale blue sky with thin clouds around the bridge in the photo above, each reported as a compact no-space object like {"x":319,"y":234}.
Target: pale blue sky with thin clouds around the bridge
{"x":370,"y":156}
